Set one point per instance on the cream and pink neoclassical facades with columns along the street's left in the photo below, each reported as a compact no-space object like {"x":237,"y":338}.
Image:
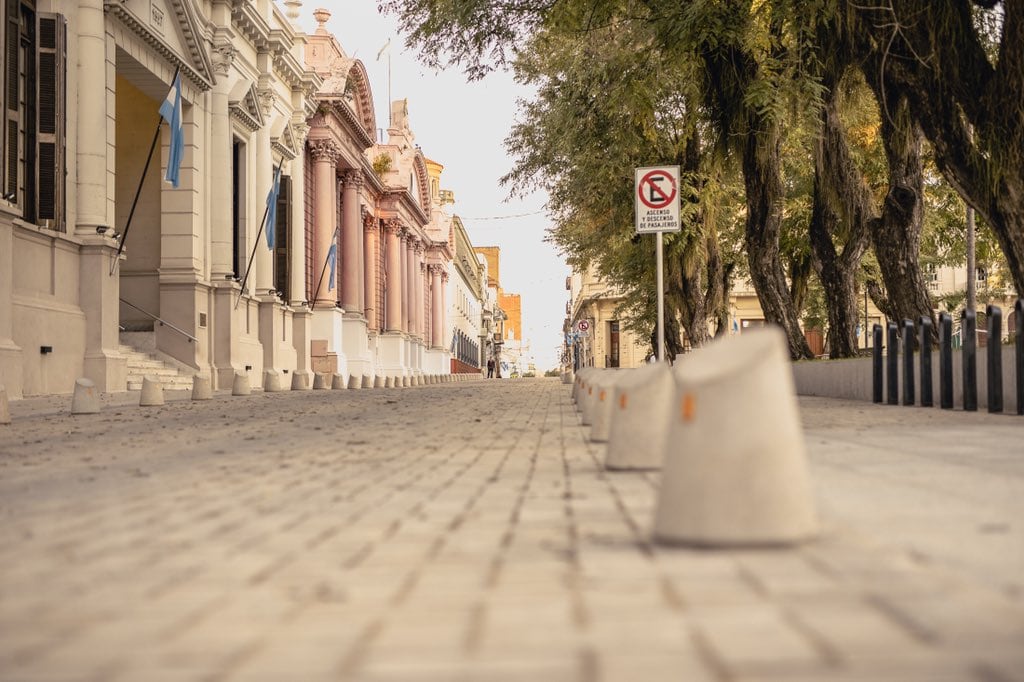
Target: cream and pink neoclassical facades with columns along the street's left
{"x":196,"y":281}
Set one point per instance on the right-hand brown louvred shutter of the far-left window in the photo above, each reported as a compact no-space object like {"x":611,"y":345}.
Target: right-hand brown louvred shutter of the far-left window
{"x":52,"y":68}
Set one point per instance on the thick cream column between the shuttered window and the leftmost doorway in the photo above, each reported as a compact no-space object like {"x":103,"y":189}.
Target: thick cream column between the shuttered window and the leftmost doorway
{"x":91,"y":116}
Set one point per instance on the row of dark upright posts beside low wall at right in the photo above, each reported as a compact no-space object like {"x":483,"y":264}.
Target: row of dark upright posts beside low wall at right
{"x":886,"y":375}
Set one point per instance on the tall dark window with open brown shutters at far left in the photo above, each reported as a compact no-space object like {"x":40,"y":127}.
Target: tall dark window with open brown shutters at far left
{"x":32,"y":140}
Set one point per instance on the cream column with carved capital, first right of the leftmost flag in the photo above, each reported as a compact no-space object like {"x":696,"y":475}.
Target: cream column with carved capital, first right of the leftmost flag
{"x":221,"y":167}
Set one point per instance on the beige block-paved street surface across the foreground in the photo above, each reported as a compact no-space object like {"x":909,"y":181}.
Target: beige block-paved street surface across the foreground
{"x":467,"y":532}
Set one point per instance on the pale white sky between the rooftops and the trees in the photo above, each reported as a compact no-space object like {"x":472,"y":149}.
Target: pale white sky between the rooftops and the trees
{"x":463,"y":126}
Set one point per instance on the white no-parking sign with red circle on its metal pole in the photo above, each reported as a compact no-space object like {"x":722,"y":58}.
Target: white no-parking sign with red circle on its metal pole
{"x":658,"y":211}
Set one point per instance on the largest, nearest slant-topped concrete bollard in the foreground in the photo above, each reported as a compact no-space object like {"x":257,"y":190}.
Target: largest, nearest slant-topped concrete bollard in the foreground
{"x":736,"y":468}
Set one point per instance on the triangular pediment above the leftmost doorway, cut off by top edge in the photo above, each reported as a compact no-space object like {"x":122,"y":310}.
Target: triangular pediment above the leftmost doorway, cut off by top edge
{"x":173,"y":29}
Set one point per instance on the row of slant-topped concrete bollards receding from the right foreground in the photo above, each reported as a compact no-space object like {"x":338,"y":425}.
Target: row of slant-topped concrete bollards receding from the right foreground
{"x":723,"y":427}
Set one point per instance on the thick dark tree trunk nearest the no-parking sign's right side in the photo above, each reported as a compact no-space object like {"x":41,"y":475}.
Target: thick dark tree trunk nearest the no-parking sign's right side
{"x":764,"y":221}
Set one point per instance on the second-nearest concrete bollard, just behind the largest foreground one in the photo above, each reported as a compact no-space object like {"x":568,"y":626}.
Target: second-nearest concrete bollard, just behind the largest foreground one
{"x":639,"y":422}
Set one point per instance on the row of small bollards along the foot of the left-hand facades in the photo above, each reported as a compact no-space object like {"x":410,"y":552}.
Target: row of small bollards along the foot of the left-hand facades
{"x":86,"y":398}
